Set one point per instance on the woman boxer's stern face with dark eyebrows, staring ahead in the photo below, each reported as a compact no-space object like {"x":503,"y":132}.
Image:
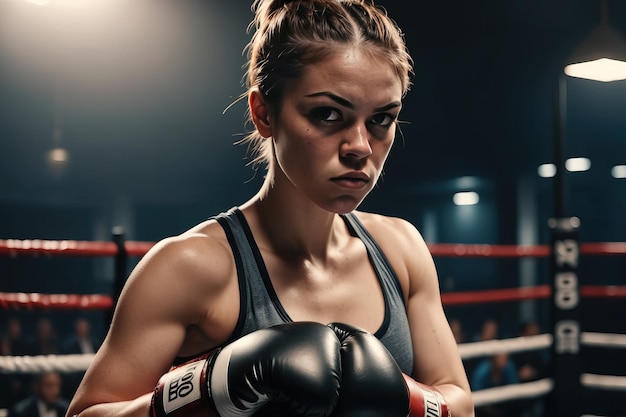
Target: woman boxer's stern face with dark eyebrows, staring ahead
{"x":335,"y":128}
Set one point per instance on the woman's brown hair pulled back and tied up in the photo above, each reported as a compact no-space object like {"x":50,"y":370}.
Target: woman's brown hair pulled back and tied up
{"x":289,"y":35}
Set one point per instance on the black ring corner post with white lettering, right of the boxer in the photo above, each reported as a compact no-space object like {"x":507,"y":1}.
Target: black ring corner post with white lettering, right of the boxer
{"x":565,"y":399}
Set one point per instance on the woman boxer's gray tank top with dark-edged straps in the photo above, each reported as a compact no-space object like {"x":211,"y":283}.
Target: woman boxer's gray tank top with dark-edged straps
{"x":260,"y":307}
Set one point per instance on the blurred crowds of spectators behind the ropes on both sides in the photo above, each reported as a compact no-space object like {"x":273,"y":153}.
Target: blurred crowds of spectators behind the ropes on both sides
{"x":47,"y":394}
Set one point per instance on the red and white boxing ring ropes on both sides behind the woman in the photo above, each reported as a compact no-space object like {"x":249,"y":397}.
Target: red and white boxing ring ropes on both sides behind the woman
{"x":540,"y":391}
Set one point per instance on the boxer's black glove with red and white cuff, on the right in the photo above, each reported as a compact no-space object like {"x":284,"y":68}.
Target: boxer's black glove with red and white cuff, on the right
{"x":374,"y":386}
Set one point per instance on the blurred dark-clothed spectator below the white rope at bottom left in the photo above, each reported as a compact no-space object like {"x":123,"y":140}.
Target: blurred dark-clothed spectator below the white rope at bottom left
{"x":46,"y":400}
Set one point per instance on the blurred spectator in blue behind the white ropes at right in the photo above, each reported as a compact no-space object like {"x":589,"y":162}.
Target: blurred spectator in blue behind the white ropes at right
{"x":498,"y":370}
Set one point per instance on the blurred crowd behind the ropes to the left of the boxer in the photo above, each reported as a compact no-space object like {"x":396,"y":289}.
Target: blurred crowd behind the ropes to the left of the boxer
{"x":44,"y":394}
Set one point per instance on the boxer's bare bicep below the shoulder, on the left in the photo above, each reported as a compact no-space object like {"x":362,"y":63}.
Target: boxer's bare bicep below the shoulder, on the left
{"x":148,"y":328}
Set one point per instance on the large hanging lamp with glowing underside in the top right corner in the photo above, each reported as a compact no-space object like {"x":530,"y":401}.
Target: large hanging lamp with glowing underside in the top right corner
{"x":601,"y":56}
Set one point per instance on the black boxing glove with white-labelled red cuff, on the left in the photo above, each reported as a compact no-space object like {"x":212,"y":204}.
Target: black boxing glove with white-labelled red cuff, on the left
{"x":293,"y":369}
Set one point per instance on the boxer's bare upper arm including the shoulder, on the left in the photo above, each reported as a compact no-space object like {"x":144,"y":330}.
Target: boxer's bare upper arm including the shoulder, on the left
{"x":167,"y":292}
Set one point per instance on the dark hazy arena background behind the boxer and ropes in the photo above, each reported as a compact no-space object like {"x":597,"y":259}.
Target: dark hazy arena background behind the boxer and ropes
{"x":136,"y":91}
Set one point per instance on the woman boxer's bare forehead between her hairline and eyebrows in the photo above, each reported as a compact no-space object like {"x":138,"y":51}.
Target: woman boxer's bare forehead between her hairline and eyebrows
{"x":354,"y":73}
